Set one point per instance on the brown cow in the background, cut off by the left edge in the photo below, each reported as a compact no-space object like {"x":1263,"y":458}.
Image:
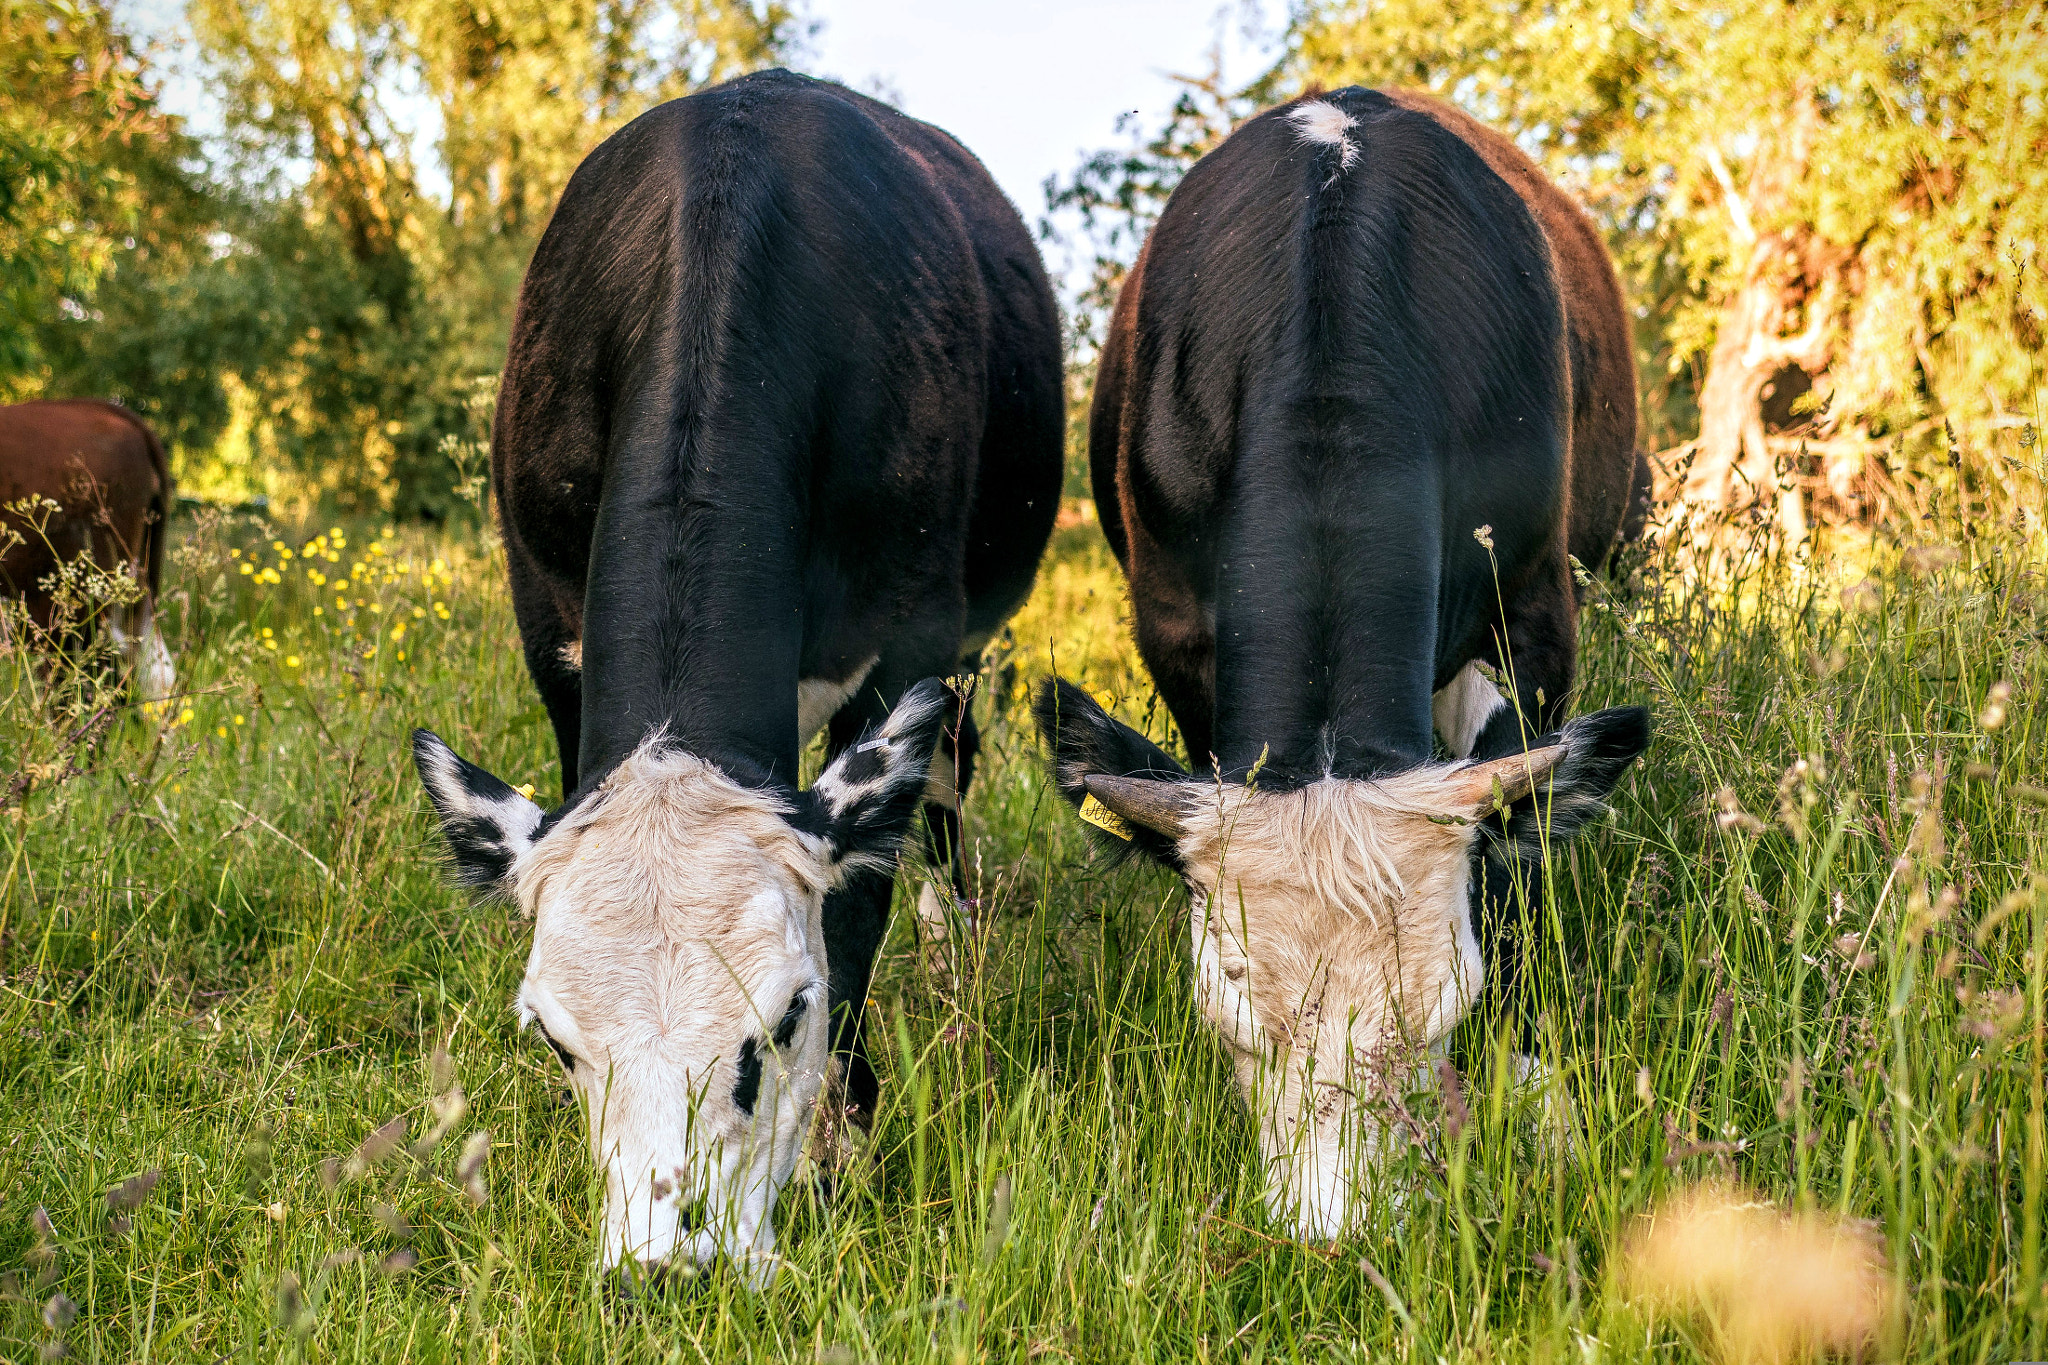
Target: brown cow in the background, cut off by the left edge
{"x":112,"y":484}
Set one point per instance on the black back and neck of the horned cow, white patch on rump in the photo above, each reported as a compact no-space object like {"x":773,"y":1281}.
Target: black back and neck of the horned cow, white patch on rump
{"x":1342,"y":357}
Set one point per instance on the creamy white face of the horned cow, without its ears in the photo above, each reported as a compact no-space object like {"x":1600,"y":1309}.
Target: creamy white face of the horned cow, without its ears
{"x":1332,"y":934}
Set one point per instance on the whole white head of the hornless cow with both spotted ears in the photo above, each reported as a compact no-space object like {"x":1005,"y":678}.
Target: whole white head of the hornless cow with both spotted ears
{"x":679,"y":965}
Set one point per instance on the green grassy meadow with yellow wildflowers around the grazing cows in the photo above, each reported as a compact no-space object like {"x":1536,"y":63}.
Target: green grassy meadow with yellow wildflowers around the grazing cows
{"x":1805,"y":961}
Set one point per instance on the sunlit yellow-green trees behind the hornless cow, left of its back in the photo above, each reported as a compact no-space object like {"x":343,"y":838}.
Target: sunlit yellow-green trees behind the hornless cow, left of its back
{"x":306,"y":318}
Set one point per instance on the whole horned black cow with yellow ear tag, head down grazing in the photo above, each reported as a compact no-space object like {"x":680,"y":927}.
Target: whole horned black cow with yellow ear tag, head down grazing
{"x":1363,"y":394}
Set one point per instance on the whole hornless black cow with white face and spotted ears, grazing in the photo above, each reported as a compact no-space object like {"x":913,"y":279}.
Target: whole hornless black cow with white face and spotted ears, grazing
{"x":779,"y":437}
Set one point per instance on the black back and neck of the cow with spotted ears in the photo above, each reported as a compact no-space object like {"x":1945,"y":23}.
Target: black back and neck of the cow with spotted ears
{"x":773,"y":349}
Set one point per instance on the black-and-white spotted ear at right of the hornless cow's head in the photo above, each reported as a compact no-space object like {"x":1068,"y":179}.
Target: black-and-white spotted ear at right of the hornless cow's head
{"x":871,"y":793}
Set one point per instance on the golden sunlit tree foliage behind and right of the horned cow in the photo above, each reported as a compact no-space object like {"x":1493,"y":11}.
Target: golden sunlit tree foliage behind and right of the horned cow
{"x":1828,"y":216}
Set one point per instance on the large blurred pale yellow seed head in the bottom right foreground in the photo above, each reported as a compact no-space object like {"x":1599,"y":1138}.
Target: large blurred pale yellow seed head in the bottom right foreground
{"x":1770,"y":1286}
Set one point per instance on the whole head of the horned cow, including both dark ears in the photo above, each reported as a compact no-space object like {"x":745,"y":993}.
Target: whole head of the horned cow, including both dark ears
{"x":1332,"y":922}
